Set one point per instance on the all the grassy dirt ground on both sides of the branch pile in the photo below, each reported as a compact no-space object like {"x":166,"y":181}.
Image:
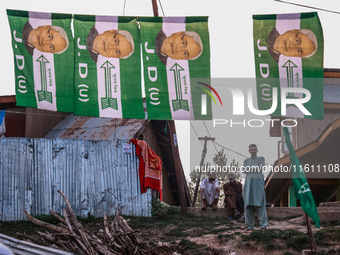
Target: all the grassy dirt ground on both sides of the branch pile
{"x":203,"y":235}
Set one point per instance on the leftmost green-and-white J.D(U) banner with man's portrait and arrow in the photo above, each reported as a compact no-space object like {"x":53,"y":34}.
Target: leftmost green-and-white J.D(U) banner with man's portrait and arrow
{"x":44,"y":62}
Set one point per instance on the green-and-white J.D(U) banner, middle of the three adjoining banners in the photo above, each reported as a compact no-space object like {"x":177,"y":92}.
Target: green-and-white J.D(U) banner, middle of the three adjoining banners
{"x":107,"y":67}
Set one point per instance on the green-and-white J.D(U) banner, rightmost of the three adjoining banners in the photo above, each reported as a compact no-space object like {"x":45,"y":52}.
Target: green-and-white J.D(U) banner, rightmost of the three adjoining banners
{"x":176,"y":60}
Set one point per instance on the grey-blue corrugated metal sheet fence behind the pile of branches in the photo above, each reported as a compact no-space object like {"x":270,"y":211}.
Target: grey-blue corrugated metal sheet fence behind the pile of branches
{"x":96,"y":177}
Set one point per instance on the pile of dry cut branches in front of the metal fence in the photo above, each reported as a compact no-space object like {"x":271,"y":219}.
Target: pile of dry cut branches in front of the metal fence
{"x":70,"y":235}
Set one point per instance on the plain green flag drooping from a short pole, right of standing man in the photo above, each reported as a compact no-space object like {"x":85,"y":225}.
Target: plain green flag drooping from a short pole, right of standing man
{"x":300,"y":183}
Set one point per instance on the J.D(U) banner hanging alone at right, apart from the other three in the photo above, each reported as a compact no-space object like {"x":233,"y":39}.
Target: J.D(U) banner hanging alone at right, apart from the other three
{"x":289,"y":64}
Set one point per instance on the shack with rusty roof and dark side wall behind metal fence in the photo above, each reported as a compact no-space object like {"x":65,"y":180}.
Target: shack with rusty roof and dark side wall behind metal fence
{"x":101,"y":129}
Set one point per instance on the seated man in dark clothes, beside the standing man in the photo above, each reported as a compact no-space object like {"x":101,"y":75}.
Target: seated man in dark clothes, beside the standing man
{"x":233,"y":198}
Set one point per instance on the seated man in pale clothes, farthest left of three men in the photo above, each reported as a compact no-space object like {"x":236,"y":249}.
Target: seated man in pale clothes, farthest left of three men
{"x":210,"y":191}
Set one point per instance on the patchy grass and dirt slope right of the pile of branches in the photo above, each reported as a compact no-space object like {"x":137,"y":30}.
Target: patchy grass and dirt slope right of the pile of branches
{"x":195,"y":236}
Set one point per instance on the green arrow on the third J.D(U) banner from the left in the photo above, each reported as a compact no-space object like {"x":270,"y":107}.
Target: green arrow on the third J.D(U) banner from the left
{"x":179,"y":102}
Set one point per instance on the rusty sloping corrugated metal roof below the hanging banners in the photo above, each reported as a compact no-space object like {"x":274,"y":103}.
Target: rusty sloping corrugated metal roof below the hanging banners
{"x":96,"y":129}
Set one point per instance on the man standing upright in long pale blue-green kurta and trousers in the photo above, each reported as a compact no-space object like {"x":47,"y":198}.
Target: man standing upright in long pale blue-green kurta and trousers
{"x":254,"y":189}
